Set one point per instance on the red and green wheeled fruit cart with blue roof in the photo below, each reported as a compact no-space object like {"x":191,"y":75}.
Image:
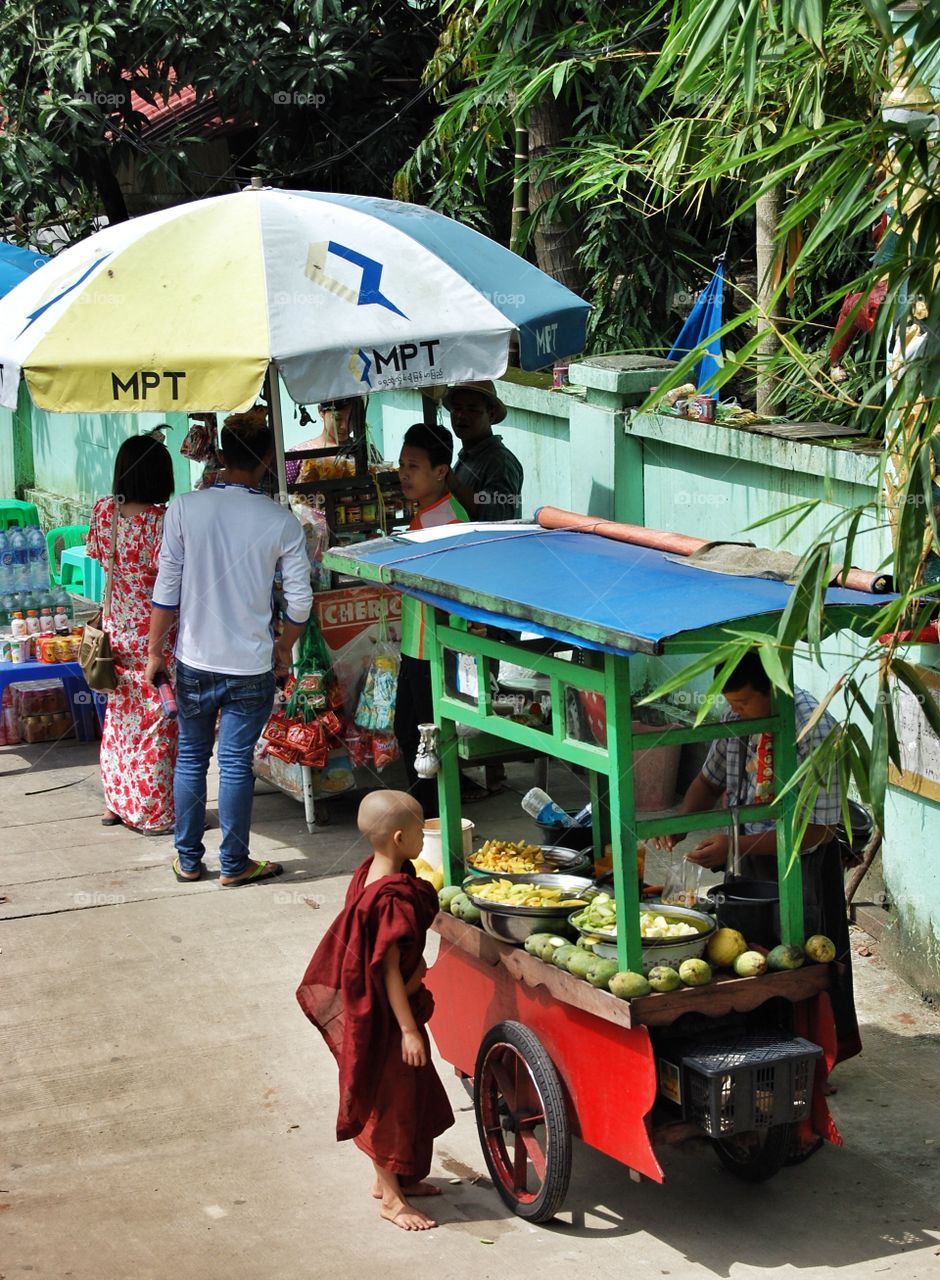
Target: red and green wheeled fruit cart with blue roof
{"x":549,"y":1055}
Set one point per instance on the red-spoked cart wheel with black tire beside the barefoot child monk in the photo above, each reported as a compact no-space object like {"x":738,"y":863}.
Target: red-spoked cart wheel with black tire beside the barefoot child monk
{"x":522,"y":1119}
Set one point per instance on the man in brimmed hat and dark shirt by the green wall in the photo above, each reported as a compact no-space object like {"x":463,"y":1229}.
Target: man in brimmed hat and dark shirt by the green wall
{"x":489,"y":478}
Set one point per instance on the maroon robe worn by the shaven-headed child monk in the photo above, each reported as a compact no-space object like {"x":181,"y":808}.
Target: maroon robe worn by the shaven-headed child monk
{"x":391,"y":1110}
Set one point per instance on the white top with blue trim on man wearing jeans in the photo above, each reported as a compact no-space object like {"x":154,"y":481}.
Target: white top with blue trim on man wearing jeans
{"x":221,"y":550}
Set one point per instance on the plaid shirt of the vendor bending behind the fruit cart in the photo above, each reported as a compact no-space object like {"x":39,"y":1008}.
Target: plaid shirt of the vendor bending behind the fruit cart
{"x":727,"y":766}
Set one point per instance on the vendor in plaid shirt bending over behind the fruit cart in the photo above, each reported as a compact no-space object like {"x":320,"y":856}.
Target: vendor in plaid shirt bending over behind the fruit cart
{"x":742,"y":772}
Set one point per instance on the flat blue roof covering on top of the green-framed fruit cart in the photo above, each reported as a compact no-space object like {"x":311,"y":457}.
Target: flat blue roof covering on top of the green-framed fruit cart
{"x":573,"y":587}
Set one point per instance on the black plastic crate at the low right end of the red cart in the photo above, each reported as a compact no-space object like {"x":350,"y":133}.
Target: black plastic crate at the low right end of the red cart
{"x":752,"y":1082}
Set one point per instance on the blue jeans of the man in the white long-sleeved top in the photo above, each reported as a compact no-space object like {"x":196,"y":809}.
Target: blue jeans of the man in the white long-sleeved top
{"x":245,"y":703}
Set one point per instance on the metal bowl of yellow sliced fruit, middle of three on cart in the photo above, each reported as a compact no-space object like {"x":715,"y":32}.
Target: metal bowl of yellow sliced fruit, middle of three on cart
{"x":513,"y":911}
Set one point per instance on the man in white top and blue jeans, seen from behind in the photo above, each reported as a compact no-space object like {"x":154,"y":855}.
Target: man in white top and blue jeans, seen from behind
{"x":221,"y":550}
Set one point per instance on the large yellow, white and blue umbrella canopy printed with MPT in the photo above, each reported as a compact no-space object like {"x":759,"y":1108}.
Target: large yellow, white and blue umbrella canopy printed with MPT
{"x":186,"y":309}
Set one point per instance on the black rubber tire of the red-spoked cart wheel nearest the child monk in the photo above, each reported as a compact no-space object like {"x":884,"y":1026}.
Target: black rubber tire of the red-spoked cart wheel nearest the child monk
{"x":503,"y":1044}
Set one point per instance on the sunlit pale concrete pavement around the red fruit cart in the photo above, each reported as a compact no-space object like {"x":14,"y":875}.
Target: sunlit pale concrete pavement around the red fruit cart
{"x":168,"y":1113}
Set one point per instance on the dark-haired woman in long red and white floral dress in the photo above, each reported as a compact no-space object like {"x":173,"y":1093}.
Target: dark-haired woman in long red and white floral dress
{"x":139,"y":744}
